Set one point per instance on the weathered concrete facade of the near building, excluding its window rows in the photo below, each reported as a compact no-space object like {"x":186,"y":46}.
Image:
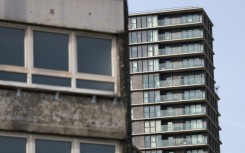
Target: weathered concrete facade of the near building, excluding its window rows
{"x":39,"y":111}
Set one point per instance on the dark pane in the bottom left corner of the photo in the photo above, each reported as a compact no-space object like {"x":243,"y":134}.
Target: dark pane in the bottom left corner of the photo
{"x":12,"y":145}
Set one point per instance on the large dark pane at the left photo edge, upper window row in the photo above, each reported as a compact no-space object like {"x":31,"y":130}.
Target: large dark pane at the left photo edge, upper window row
{"x":12,"y":46}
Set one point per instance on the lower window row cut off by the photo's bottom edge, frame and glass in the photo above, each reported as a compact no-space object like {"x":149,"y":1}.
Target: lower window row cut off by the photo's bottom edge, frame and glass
{"x":22,"y":143}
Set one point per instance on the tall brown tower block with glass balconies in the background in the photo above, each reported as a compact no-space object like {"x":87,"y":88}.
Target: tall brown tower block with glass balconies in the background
{"x":174,"y":103}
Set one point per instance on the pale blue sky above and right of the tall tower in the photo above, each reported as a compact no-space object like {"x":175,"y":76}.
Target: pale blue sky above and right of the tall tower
{"x":228,"y":17}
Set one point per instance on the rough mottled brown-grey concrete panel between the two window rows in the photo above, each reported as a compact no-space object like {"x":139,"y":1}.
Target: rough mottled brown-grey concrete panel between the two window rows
{"x":69,"y":115}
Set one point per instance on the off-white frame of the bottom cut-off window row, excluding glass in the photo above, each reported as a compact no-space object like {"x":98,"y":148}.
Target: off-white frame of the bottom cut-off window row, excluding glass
{"x":75,"y":142}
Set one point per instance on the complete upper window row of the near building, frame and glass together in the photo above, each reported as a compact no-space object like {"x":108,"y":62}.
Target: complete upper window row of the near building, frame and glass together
{"x":54,"y":58}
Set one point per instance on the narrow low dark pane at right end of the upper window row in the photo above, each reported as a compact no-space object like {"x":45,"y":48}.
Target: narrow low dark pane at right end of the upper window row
{"x":95,"y":85}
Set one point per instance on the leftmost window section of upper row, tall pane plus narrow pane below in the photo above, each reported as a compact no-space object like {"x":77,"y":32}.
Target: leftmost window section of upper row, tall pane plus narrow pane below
{"x":12,"y":57}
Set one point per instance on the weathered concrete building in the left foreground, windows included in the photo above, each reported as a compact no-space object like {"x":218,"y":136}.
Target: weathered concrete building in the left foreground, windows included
{"x":64,"y":80}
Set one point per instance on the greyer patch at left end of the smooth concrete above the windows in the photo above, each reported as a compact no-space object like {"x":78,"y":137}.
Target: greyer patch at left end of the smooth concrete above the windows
{"x":15,"y":9}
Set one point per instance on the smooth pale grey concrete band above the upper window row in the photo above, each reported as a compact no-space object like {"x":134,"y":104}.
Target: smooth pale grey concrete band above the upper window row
{"x":94,"y":15}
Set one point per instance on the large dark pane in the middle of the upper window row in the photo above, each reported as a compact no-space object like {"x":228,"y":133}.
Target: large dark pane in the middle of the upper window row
{"x":51,"y":50}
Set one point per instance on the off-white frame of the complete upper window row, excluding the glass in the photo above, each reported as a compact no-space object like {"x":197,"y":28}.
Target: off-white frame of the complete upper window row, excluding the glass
{"x":72,"y":72}
